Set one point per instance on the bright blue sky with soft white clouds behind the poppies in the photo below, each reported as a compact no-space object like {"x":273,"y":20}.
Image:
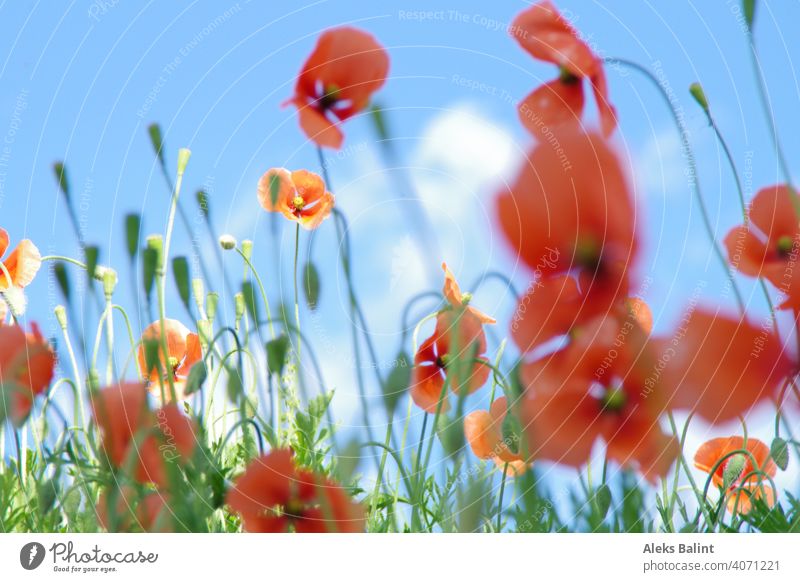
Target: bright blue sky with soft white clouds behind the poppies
{"x":81,"y":82}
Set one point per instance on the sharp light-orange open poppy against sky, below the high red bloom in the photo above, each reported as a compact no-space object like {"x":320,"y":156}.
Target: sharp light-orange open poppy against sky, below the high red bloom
{"x":300,"y":196}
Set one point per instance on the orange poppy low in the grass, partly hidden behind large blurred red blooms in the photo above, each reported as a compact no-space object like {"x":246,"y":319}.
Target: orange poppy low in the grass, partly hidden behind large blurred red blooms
{"x":483,"y":430}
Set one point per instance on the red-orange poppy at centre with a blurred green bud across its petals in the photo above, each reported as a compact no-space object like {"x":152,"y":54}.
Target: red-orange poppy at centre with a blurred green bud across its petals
{"x":455,"y":348}
